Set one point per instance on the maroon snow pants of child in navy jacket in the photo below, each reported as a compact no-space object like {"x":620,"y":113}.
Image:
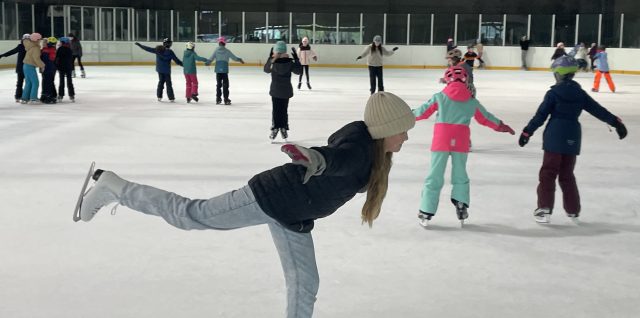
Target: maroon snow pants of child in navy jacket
{"x":558,"y":165}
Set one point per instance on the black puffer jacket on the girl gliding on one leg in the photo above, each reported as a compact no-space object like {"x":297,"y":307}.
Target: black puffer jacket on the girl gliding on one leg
{"x":281,"y":194}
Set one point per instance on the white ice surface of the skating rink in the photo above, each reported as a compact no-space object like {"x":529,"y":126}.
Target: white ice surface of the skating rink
{"x":502,"y":264}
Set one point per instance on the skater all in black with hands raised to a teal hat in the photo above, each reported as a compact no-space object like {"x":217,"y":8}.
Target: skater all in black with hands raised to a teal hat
{"x":280,"y":66}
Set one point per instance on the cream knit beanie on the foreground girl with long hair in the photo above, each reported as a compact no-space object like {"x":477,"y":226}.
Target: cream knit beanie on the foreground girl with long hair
{"x":386,"y":115}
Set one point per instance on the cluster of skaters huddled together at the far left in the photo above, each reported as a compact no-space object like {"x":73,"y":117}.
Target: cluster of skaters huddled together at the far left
{"x":49,"y":56}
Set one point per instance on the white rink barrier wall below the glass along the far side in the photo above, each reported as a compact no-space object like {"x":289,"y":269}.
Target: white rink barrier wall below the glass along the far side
{"x":621,"y":60}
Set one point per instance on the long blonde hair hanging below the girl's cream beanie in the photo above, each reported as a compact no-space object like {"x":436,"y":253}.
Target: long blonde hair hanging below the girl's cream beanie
{"x":378,"y":182}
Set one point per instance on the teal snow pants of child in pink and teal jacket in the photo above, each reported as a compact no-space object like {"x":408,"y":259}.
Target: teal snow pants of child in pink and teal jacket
{"x":435,"y":180}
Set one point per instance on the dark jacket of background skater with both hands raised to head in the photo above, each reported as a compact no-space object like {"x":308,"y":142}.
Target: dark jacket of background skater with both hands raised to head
{"x":281,"y":70}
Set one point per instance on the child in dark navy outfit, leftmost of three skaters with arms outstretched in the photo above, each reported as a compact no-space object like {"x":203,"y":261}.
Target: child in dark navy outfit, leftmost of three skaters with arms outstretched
{"x":164,"y":55}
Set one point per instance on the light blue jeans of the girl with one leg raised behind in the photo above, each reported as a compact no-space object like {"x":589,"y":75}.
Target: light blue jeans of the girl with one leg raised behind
{"x":234,"y":210}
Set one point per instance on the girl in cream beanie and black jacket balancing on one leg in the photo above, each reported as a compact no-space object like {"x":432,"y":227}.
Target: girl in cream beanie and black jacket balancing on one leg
{"x":288,"y":198}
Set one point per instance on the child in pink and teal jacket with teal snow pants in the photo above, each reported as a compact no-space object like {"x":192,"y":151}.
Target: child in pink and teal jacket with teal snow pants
{"x":454,"y":107}
